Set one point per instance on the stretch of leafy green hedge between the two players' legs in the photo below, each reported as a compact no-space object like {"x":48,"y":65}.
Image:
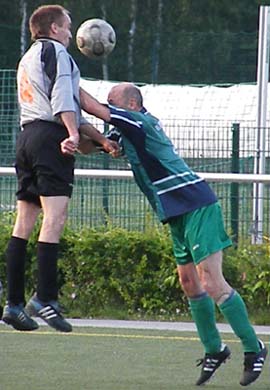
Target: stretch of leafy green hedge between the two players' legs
{"x":120,"y":268}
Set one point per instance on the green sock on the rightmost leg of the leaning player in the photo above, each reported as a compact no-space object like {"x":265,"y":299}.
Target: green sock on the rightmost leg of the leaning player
{"x":235,"y":312}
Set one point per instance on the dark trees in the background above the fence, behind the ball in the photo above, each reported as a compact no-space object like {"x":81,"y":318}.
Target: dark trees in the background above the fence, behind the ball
{"x":200,"y":42}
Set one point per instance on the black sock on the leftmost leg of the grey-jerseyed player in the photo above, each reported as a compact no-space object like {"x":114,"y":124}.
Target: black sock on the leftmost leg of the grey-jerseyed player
{"x":15,"y":256}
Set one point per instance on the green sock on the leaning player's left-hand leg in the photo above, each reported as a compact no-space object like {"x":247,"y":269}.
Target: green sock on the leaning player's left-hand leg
{"x":203,"y":313}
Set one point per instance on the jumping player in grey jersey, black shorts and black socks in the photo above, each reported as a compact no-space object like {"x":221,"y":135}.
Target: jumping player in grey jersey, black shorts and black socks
{"x":50,"y":112}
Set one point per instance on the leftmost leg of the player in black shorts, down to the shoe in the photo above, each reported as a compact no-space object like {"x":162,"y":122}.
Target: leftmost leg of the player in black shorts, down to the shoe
{"x":28,"y":208}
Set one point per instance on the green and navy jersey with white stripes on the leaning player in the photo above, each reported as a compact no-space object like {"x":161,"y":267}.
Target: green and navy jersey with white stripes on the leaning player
{"x":171,"y":187}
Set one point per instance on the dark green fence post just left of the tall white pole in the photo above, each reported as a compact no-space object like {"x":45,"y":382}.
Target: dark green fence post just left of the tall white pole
{"x":235,"y":186}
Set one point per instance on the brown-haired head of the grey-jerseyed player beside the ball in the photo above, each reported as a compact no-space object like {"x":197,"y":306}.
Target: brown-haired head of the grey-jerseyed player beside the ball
{"x":51,"y":21}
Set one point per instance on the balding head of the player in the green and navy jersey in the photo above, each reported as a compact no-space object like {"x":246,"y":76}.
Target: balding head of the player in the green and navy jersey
{"x":127,"y":96}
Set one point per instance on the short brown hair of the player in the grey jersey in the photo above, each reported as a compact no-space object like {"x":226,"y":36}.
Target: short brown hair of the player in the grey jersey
{"x":42,"y":18}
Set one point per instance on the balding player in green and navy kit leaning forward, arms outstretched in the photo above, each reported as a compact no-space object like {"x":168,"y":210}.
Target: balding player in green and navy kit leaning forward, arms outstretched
{"x":189,"y":206}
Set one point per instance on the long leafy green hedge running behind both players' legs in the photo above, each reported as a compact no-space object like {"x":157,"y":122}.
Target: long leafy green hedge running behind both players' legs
{"x":113,"y":270}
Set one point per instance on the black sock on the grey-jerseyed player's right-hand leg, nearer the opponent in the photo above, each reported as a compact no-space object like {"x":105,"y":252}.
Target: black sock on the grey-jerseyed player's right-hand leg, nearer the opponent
{"x":47,"y":289}
